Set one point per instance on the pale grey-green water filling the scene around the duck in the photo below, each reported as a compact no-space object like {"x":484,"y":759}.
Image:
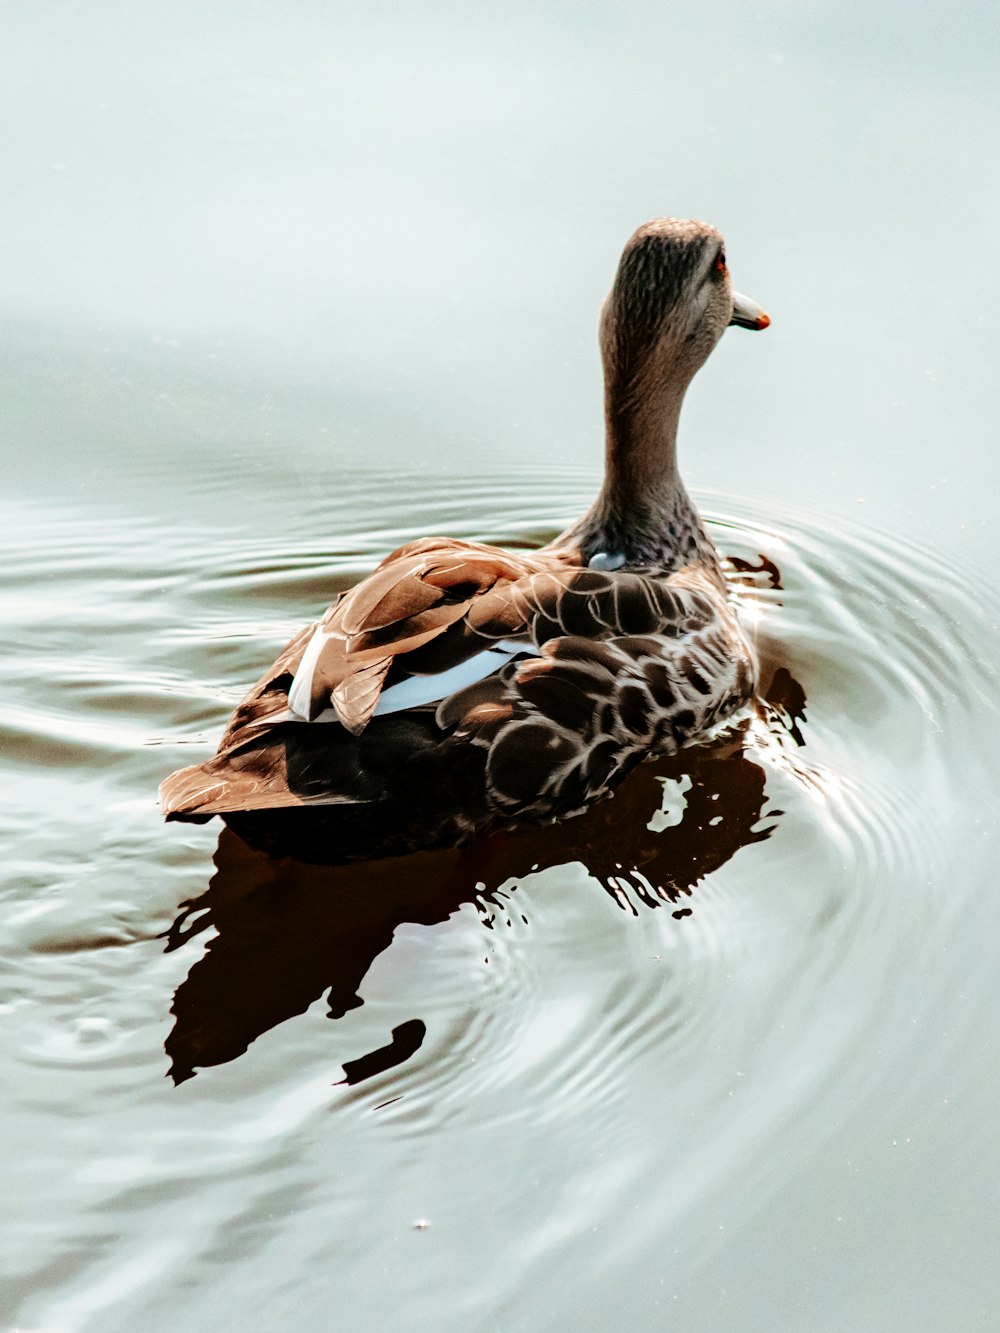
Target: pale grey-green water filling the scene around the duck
{"x":285,"y":286}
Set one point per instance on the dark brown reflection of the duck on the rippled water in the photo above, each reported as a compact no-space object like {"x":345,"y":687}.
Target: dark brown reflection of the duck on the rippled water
{"x":287,"y":931}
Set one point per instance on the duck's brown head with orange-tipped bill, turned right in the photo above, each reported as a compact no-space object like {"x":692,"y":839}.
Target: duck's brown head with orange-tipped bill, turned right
{"x":671,"y":303}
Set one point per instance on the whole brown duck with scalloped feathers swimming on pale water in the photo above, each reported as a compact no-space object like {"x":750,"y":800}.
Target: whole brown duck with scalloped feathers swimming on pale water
{"x":463,"y":688}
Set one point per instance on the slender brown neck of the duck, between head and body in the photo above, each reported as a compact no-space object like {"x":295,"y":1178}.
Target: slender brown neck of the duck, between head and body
{"x":643,"y":513}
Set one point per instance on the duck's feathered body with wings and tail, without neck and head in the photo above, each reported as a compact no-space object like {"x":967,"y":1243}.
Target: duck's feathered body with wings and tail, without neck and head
{"x":573,"y":676}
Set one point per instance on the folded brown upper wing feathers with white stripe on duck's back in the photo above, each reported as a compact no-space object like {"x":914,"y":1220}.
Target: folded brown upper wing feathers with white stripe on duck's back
{"x":441,"y":615}
